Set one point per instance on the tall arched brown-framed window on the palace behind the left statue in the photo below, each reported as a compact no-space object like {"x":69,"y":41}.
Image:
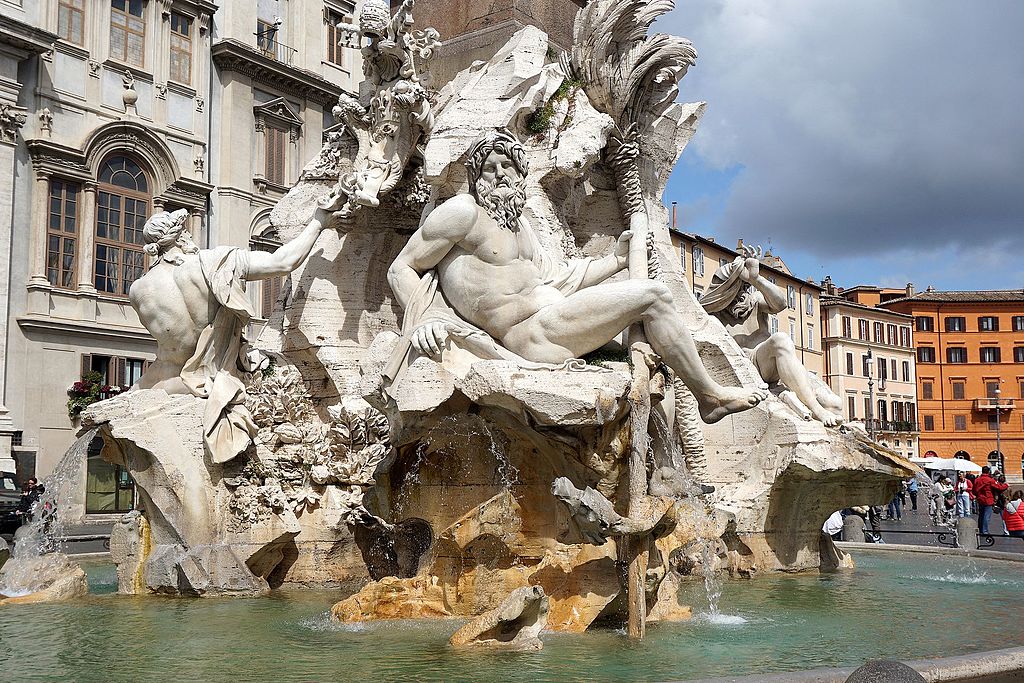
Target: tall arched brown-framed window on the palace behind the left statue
{"x":122,"y":208}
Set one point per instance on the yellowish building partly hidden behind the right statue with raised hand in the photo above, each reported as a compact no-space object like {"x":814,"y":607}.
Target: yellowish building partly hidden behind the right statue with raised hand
{"x":701,"y":258}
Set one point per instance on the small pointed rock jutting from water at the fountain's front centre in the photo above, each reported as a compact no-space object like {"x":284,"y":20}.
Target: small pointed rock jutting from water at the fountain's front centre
{"x":515,"y":625}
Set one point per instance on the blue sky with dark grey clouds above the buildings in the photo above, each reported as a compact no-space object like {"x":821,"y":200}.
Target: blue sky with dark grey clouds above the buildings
{"x":879,"y":142}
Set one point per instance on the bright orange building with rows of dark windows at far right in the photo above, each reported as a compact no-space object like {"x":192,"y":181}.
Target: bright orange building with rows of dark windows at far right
{"x":970,"y":354}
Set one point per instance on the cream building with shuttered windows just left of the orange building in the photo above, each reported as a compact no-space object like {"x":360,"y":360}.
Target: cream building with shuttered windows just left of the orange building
{"x":870,"y":364}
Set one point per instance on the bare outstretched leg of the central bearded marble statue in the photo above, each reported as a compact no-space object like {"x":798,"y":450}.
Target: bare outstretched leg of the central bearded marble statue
{"x":589,"y":319}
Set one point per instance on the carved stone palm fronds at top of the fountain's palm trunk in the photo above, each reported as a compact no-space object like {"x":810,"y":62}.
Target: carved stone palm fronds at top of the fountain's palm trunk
{"x":627,"y":74}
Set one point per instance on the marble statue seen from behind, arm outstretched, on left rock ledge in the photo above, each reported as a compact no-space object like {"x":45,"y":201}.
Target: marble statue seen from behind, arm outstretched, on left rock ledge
{"x":194,"y":304}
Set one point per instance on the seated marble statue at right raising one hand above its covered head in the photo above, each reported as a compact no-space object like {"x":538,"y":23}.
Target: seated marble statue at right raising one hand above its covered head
{"x":742,"y":298}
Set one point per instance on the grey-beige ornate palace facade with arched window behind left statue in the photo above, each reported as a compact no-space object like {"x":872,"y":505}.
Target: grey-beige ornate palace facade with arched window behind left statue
{"x":118,"y":109}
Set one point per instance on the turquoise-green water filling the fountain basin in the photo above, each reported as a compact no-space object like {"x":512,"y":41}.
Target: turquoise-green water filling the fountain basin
{"x":893,"y":606}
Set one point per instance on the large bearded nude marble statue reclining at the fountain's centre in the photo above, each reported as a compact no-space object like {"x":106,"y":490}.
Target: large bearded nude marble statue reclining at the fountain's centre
{"x":479,"y":255}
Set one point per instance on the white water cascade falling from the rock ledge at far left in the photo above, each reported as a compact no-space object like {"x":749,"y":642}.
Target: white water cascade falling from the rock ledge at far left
{"x":38,"y":556}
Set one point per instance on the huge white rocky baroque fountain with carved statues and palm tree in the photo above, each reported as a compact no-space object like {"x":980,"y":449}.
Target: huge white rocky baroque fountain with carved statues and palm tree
{"x":487,"y":392}
